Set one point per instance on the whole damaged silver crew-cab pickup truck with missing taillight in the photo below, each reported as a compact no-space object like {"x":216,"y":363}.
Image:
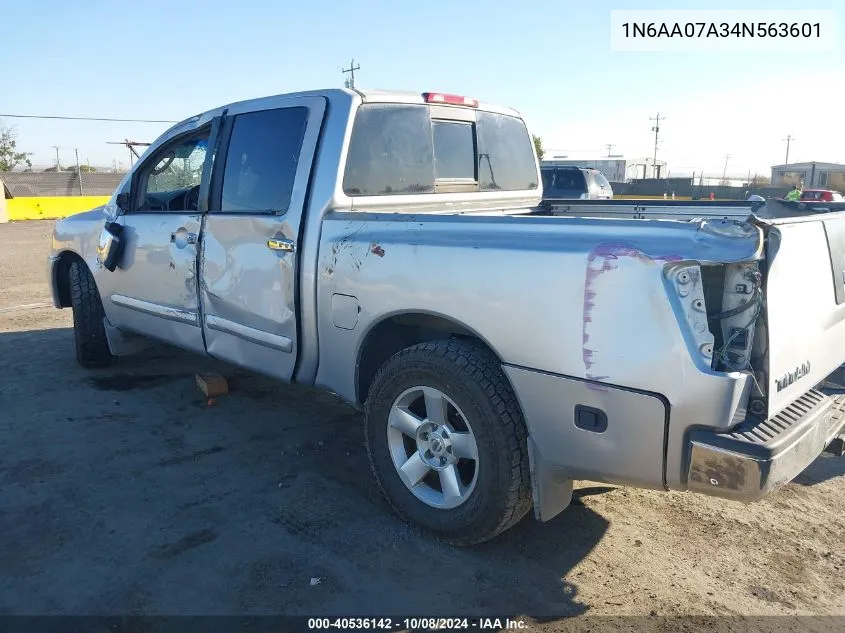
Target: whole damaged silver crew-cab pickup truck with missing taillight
{"x":391,"y":248}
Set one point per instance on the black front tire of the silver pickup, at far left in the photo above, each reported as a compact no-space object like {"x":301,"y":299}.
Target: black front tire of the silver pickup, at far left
{"x":89,"y":332}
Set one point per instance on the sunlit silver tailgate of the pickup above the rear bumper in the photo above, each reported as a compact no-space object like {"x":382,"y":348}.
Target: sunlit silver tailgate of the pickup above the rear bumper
{"x":805,"y":304}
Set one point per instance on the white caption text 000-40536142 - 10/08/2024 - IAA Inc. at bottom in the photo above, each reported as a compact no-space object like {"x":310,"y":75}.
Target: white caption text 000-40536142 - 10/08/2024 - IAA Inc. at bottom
{"x":412,"y":624}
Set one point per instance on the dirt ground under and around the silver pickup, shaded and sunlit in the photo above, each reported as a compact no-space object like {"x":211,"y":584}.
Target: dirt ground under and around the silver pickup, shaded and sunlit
{"x":122,"y":492}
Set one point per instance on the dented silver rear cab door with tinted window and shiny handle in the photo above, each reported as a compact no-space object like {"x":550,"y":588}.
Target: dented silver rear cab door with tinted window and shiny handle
{"x":249,"y":254}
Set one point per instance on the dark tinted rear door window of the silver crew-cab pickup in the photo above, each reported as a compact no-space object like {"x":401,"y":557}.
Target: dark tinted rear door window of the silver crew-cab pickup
{"x":262,"y":159}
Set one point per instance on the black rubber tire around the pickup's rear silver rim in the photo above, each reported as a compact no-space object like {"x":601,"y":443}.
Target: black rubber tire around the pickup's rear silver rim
{"x":471,"y":376}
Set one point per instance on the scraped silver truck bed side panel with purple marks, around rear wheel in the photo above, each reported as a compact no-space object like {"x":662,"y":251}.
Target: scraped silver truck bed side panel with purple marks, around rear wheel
{"x":582,"y":302}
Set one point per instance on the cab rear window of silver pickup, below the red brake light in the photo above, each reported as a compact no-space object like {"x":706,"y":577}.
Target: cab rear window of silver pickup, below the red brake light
{"x":400,"y":149}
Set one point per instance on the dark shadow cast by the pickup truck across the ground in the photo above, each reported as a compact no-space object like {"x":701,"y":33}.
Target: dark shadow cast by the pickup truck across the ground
{"x":260,"y":504}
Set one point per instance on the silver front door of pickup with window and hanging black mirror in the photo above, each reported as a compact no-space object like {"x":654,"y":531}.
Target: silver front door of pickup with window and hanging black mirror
{"x":154,"y":289}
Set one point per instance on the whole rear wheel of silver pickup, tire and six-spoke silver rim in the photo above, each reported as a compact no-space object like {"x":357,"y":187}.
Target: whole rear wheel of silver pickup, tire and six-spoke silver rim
{"x":447,"y":441}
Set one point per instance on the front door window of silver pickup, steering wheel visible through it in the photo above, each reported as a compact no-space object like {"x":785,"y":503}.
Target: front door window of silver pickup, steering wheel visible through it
{"x":170,"y":181}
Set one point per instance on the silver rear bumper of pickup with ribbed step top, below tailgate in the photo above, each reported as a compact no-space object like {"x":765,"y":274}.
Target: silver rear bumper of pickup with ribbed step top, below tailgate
{"x":758,"y":457}
